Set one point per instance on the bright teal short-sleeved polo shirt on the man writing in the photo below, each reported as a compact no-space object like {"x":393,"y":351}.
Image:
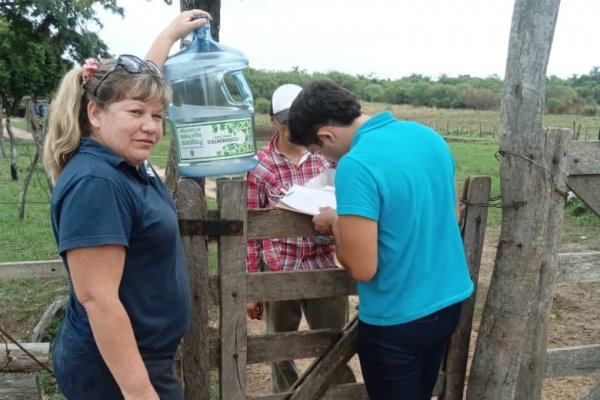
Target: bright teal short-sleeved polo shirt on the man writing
{"x":401,"y":175}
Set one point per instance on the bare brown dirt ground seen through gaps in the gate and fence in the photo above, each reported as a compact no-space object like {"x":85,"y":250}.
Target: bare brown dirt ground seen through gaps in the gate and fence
{"x":575,"y":321}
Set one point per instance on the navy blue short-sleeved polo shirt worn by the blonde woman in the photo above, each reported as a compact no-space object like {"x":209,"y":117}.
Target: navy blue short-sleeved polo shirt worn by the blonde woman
{"x":100,"y":199}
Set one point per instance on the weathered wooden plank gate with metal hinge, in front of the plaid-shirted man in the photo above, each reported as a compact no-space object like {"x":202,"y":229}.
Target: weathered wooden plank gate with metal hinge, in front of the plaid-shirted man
{"x":231,"y":288}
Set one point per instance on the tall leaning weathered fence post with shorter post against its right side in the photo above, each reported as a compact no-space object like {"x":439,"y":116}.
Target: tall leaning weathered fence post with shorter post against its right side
{"x":510,"y":350}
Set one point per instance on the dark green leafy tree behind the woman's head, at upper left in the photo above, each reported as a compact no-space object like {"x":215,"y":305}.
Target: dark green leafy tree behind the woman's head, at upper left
{"x":50,"y":36}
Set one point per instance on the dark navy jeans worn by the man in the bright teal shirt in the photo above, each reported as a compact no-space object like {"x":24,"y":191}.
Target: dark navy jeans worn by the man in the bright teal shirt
{"x":403,"y":361}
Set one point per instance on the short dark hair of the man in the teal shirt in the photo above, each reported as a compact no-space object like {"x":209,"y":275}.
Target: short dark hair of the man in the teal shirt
{"x":321,"y":103}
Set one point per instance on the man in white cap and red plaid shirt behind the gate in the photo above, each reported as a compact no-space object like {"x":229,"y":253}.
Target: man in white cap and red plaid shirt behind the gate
{"x":281,"y":165}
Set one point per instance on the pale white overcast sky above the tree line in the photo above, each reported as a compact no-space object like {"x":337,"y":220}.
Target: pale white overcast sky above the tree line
{"x":388,"y":39}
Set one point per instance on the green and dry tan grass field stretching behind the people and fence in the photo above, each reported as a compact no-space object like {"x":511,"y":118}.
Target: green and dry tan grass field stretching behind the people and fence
{"x":31,"y":238}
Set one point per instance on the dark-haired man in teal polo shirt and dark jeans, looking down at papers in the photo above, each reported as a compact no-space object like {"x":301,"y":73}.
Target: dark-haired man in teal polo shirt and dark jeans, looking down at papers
{"x":396,"y":233}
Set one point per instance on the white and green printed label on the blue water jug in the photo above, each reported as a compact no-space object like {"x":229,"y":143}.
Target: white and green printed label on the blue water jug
{"x":215,"y":140}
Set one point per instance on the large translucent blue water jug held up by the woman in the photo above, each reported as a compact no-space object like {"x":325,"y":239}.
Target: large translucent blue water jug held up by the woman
{"x":212,"y":113}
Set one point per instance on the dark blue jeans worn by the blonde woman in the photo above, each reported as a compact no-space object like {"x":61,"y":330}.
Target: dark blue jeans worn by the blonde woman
{"x":82,"y":374}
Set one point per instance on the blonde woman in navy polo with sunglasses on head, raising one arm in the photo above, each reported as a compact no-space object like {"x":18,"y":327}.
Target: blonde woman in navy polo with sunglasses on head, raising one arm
{"x":116,"y":229}
